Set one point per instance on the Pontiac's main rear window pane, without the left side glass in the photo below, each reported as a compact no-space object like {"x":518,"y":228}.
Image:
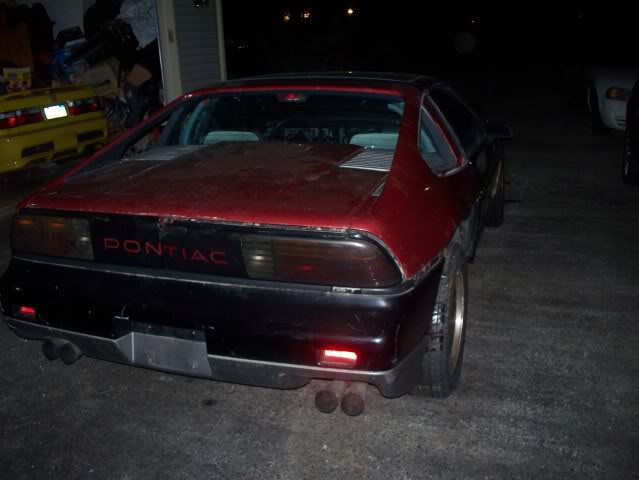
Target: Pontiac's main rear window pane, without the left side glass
{"x":370,"y":121}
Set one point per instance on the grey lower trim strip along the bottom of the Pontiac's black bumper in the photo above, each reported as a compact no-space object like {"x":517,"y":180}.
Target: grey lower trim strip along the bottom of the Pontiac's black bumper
{"x":189,"y":357}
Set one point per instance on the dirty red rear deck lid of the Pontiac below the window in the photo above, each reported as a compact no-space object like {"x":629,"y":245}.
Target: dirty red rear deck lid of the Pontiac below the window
{"x":265,"y":183}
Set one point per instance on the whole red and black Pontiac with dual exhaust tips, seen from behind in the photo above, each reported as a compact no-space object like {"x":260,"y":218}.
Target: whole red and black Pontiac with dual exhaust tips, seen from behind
{"x":270,"y":231}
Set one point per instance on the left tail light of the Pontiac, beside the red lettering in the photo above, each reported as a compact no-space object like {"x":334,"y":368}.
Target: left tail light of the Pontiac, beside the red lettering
{"x":55,"y":236}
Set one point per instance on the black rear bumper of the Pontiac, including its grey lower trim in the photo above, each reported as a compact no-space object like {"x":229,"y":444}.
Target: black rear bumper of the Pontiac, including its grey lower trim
{"x":259,"y":333}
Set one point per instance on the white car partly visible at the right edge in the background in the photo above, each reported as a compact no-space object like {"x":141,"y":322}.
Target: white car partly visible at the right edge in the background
{"x":608,"y":95}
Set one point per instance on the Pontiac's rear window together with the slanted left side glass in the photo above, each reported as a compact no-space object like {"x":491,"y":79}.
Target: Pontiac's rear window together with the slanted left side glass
{"x":371,"y":121}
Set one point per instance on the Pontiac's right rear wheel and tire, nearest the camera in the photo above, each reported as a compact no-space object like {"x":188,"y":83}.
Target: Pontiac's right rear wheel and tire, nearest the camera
{"x":442,"y":363}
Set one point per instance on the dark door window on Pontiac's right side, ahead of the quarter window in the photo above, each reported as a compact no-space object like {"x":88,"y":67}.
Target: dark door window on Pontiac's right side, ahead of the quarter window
{"x":462,"y":120}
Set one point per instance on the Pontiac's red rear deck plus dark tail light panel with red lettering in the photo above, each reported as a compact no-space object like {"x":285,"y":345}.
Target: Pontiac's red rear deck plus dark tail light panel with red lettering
{"x":269,"y":211}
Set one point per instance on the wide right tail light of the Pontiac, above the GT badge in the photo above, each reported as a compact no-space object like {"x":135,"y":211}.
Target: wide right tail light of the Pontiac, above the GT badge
{"x":352,"y":263}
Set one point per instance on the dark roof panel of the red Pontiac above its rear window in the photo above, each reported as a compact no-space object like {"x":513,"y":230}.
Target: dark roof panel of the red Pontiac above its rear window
{"x":347,"y":77}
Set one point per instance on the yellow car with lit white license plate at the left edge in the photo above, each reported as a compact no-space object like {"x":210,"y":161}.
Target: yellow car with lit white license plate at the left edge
{"x":49,"y":124}
